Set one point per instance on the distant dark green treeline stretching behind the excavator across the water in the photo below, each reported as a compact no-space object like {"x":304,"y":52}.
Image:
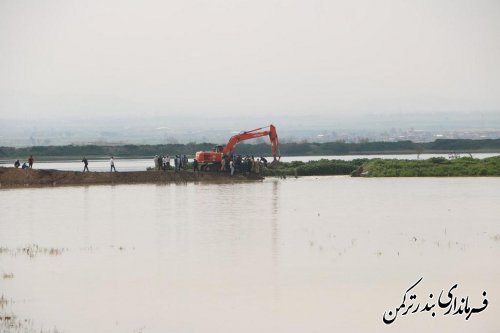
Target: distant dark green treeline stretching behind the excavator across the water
{"x":287,"y":149}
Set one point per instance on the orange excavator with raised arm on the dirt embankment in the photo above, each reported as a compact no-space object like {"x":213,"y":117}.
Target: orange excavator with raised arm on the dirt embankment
{"x":212,"y":160}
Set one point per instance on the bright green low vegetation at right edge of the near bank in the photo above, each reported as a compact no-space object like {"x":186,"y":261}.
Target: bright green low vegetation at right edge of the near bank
{"x":433,"y":167}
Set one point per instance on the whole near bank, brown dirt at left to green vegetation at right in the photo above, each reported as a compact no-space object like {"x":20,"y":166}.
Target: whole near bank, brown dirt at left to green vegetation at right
{"x":432,"y":167}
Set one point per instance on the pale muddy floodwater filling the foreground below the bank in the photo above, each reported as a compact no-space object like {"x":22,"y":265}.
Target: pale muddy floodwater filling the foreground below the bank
{"x":314,"y":254}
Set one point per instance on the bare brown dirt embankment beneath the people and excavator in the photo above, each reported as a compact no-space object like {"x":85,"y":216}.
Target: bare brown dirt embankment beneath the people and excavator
{"x":11,"y":177}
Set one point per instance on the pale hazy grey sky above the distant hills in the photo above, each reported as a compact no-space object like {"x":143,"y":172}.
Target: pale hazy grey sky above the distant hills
{"x":253,"y":57}
